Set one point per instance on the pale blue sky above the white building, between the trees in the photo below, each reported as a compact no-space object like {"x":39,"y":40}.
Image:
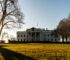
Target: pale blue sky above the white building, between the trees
{"x":43,"y":13}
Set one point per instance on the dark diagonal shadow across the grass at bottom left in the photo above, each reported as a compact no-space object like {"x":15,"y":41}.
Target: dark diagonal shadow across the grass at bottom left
{"x":11,"y":55}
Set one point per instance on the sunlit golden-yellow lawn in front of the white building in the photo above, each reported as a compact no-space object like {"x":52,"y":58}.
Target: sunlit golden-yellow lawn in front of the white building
{"x":40,"y":51}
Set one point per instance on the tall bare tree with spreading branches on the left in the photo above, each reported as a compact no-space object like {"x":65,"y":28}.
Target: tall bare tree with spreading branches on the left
{"x":10,"y":15}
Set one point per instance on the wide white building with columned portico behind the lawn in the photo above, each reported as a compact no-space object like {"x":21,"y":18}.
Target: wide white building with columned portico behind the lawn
{"x":37,"y":35}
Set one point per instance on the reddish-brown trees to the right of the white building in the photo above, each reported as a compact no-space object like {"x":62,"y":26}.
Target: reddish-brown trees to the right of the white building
{"x":63,"y":29}
